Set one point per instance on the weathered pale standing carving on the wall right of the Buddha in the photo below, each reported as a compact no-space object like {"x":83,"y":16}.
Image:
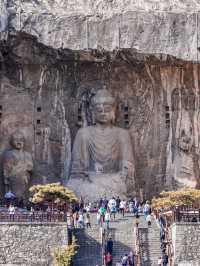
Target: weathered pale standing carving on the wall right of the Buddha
{"x":184,"y":158}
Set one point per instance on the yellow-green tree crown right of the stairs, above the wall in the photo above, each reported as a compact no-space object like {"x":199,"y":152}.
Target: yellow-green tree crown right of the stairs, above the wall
{"x":169,"y":199}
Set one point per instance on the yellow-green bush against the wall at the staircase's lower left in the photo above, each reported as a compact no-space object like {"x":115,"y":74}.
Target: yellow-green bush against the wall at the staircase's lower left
{"x":63,"y":256}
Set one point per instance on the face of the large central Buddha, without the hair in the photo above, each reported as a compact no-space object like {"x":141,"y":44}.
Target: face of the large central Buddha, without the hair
{"x":104,"y":113}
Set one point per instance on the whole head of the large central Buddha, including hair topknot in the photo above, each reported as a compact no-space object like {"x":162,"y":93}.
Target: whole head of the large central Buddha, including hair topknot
{"x":104,"y":107}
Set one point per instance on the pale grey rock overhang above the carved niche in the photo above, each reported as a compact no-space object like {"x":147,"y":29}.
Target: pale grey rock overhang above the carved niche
{"x":149,"y":26}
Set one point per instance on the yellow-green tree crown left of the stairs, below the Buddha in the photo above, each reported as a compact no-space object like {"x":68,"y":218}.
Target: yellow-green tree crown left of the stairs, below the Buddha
{"x":53,"y":192}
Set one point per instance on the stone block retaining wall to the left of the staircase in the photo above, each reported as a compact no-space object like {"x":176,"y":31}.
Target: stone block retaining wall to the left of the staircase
{"x":30,"y":244}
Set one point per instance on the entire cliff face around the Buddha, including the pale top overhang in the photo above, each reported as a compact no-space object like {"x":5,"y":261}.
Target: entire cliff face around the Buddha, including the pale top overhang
{"x":54,"y":54}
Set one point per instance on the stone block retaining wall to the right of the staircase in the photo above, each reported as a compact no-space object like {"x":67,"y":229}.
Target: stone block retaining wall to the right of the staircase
{"x":186,"y":241}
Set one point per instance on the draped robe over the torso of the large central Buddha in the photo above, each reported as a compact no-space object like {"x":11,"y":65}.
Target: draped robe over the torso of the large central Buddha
{"x":100,"y":150}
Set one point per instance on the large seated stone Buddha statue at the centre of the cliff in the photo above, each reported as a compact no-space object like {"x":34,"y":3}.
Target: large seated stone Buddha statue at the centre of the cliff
{"x":102,"y":158}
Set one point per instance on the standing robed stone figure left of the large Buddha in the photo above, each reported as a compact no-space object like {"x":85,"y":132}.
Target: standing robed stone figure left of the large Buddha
{"x":17,"y":167}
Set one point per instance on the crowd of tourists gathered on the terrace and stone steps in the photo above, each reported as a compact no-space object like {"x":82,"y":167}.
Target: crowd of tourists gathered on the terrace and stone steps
{"x":106,"y":211}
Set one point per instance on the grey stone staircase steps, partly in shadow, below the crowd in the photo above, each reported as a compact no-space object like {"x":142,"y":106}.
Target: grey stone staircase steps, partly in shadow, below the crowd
{"x":89,"y":240}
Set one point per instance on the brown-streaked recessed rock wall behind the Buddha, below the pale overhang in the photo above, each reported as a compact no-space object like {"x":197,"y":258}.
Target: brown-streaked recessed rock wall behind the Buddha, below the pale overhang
{"x":43,"y":89}
